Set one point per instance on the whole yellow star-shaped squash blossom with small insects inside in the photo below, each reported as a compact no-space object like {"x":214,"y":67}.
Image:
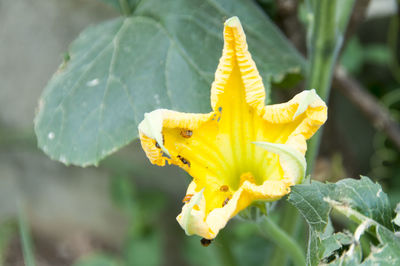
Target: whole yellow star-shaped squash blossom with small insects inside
{"x":240,"y":152}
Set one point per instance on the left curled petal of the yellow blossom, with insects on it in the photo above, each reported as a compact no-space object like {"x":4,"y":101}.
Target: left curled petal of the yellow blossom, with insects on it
{"x":183,"y":139}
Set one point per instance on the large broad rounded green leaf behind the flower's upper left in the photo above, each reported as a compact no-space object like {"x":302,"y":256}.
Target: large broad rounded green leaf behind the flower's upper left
{"x":164,"y":56}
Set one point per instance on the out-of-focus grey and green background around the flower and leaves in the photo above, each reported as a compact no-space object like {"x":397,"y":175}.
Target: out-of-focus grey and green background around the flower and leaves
{"x":123,"y":211}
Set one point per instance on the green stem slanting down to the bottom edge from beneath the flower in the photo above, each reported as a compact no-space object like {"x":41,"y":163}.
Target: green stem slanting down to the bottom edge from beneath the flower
{"x":283,"y":240}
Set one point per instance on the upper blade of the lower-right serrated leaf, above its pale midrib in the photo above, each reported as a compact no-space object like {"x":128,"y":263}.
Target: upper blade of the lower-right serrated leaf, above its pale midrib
{"x":363,"y":195}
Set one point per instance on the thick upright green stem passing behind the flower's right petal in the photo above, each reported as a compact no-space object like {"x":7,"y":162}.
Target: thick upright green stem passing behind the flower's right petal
{"x":327,"y":30}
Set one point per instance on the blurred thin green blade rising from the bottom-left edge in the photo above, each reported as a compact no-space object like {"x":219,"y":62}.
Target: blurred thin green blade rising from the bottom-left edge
{"x":26,"y":240}
